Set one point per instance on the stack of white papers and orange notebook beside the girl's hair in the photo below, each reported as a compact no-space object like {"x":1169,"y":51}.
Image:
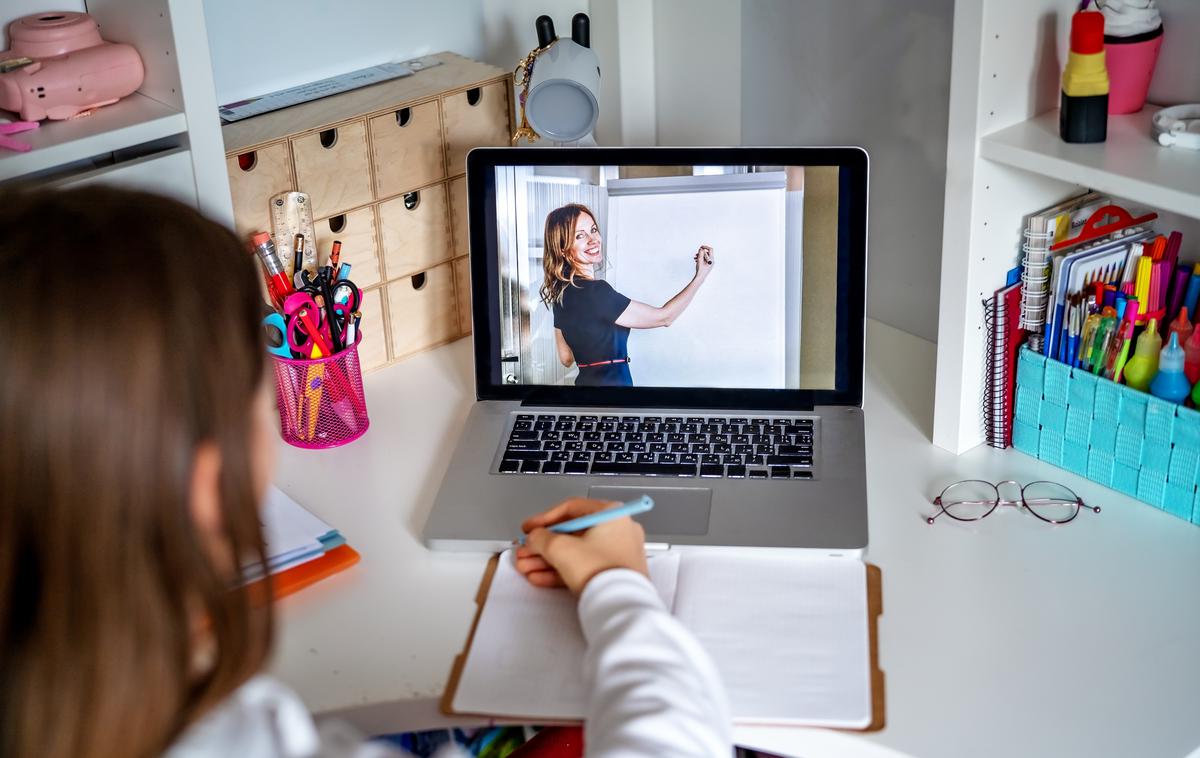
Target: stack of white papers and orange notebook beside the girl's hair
{"x":301,"y":549}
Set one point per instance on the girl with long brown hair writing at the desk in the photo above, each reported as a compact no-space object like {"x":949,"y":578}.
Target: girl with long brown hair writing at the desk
{"x":136,"y":443}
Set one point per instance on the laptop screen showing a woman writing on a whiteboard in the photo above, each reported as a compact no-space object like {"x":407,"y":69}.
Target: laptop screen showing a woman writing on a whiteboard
{"x":617,"y":276}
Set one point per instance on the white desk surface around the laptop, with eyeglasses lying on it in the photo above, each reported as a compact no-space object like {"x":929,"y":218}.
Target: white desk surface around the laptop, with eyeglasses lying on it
{"x":1004,"y":639}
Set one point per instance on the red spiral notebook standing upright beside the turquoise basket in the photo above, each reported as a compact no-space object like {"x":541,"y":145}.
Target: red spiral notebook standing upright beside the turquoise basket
{"x":1003,"y":318}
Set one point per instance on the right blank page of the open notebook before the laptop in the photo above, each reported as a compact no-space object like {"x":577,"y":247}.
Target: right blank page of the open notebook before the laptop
{"x":789,"y":635}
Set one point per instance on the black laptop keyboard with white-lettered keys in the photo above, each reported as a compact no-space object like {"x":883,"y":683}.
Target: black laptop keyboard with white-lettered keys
{"x":627,"y":446}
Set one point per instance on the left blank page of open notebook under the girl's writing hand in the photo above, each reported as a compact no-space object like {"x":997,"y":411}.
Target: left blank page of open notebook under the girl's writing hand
{"x":527,"y":657}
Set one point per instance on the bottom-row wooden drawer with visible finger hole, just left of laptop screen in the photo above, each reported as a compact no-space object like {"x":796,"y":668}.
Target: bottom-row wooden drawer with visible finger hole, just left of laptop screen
{"x":424,"y":312}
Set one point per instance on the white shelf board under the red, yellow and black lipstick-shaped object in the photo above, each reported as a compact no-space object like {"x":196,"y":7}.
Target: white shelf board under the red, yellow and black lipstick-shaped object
{"x":1130,"y":165}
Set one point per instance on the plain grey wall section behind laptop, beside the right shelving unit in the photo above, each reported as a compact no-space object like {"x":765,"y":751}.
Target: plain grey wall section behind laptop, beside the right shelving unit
{"x":873,"y":74}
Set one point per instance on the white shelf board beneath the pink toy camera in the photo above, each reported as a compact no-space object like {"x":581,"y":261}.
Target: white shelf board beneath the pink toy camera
{"x":135,"y":121}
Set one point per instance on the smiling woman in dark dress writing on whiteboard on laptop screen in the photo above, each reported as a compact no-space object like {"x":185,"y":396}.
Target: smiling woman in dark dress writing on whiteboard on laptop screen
{"x":592,"y":321}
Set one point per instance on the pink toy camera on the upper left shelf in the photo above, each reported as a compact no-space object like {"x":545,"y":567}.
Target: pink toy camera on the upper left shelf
{"x":59,"y":68}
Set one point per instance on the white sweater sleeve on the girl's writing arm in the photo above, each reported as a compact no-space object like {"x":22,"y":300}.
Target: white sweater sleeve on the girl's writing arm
{"x":653,"y":690}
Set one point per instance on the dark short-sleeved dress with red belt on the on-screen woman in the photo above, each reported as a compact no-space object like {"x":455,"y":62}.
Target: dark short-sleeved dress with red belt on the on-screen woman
{"x":589,"y":320}
